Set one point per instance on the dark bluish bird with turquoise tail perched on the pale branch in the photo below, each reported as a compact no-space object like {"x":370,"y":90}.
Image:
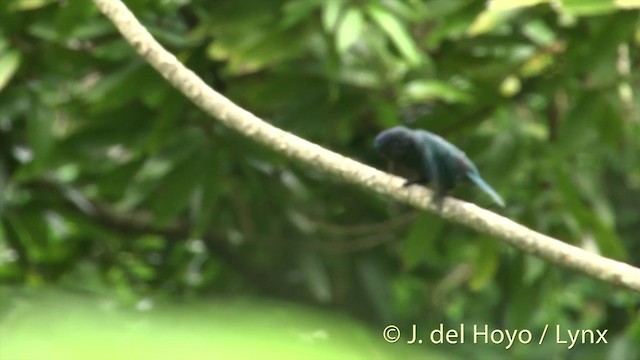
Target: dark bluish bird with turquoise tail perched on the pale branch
{"x":434,"y":160}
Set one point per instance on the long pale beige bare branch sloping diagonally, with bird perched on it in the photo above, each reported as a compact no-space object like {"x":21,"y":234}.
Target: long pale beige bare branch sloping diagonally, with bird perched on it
{"x":461,"y":212}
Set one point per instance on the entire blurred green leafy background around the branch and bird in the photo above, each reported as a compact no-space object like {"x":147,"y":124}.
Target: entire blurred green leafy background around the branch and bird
{"x":133,"y":226}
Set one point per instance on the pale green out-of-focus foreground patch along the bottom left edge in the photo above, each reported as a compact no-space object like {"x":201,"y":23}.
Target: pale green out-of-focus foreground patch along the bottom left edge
{"x":76,"y":327}
